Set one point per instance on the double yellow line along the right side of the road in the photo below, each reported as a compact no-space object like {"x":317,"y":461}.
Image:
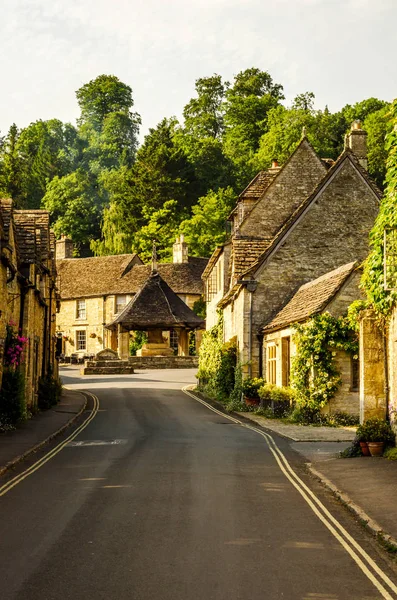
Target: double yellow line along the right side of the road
{"x":338,"y":531}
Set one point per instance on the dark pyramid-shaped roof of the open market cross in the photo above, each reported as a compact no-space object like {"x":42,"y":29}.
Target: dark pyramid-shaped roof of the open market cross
{"x":156,"y":306}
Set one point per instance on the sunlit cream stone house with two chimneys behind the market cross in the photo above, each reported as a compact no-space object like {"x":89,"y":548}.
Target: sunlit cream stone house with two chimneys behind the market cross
{"x":94,"y":291}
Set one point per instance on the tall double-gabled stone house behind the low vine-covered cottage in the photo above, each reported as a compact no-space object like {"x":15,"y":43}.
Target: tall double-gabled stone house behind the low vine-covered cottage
{"x":292,"y":224}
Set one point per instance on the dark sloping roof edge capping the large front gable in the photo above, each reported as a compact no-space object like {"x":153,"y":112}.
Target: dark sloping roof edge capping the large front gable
{"x":305,"y":205}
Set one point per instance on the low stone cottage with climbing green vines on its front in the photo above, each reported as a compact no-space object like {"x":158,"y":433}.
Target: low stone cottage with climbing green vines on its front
{"x":331,"y":293}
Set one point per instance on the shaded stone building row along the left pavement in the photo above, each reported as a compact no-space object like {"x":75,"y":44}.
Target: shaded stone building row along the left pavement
{"x":28,"y":290}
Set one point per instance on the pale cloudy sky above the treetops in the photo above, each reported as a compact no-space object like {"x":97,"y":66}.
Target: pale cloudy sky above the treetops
{"x":342,"y":50}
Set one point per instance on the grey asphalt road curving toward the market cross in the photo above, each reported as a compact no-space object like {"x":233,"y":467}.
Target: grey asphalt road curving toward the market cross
{"x":159,"y":498}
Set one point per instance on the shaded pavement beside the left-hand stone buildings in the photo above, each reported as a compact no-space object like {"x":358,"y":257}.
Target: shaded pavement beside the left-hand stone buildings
{"x":38,"y":431}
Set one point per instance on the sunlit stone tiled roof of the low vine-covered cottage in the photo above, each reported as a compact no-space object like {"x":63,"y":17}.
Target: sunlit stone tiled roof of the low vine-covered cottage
{"x":311,"y":298}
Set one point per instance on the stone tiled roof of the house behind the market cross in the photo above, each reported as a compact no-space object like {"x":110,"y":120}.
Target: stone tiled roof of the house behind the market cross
{"x":103,"y":275}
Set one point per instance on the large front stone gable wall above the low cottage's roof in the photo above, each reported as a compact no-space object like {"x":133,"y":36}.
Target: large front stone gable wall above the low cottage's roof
{"x":334,"y":232}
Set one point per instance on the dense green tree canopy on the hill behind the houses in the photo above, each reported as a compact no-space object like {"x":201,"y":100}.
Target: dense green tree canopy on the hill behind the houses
{"x":113,"y":196}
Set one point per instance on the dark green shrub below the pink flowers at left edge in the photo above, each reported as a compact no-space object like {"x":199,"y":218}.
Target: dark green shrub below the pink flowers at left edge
{"x":12,"y":398}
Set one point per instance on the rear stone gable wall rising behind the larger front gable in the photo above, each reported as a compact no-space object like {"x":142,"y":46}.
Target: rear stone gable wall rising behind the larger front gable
{"x":293,"y":184}
